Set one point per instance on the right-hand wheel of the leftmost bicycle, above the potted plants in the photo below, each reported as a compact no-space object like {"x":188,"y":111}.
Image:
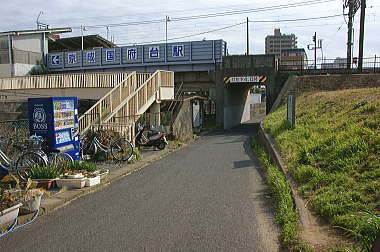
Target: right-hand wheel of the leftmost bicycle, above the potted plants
{"x":26,"y":162}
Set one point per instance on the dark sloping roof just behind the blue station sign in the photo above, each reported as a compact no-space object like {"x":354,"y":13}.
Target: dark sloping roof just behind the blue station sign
{"x":75,"y":43}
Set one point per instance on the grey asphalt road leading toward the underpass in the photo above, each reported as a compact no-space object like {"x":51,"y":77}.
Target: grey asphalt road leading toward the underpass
{"x":209,"y":196}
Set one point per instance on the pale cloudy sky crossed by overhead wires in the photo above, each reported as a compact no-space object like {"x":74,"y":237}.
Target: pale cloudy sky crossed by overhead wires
{"x":22,"y":14}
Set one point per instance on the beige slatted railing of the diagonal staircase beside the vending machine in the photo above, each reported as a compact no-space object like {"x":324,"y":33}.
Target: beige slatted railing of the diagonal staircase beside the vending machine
{"x":132,"y":97}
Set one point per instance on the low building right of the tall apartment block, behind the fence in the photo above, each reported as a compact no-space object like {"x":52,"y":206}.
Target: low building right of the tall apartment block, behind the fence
{"x":293,"y":59}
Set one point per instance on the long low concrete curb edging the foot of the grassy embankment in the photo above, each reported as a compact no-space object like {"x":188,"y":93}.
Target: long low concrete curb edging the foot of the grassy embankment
{"x":269,"y":146}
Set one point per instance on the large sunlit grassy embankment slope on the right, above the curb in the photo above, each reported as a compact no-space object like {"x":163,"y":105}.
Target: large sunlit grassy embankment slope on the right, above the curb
{"x":333,"y":153}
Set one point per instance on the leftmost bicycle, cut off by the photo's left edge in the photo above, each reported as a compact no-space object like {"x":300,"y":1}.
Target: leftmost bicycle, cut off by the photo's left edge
{"x":26,"y":161}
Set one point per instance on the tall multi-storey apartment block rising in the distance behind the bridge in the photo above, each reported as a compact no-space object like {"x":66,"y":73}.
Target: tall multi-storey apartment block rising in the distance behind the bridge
{"x":274,"y":44}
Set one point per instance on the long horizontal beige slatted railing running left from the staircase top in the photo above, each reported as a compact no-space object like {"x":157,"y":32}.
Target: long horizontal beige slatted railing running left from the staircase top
{"x":84,"y":80}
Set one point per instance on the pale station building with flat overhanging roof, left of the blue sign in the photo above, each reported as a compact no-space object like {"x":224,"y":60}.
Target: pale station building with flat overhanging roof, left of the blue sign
{"x":20,"y":51}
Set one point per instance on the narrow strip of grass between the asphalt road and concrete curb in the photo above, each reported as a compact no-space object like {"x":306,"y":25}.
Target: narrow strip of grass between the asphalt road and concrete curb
{"x":286,"y":214}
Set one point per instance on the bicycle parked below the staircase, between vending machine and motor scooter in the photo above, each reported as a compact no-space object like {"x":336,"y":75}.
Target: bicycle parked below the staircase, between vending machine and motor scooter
{"x":121,"y":149}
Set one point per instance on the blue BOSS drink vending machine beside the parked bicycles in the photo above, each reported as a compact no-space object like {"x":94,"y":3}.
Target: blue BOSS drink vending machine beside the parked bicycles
{"x":56,"y":120}
